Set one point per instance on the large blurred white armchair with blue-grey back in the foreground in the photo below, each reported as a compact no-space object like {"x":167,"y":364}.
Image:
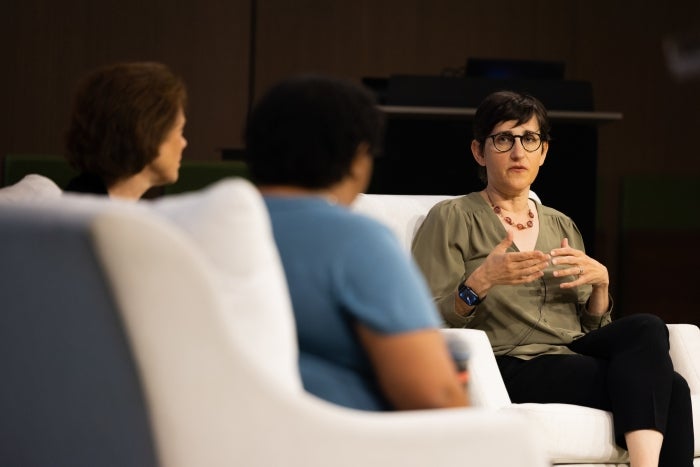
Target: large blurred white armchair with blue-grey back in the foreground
{"x":161,"y":333}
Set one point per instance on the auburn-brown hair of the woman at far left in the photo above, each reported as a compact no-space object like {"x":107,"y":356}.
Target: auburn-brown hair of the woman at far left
{"x":121,"y":114}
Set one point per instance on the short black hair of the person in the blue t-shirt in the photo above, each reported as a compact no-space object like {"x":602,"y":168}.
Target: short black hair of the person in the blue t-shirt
{"x":305,"y":131}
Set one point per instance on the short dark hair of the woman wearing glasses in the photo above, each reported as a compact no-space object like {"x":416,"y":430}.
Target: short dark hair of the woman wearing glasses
{"x":502,"y":106}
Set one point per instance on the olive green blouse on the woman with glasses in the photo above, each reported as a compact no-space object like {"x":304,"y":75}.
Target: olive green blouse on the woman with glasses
{"x":520,"y":320}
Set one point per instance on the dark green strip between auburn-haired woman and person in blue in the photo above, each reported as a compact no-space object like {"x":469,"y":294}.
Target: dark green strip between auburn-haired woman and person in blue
{"x":195,"y":175}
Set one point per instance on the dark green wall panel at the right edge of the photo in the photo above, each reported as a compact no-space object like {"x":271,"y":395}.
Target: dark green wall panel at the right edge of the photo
{"x":660,"y":202}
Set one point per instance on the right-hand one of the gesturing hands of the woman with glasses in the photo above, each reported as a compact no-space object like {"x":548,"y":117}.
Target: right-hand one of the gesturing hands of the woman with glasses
{"x":582,"y":267}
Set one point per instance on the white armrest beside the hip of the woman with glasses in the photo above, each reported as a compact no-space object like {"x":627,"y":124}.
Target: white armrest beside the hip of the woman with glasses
{"x":486,"y":387}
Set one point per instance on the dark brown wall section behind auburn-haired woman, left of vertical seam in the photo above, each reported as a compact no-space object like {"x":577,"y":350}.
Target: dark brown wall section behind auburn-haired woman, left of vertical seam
{"x":47,"y":45}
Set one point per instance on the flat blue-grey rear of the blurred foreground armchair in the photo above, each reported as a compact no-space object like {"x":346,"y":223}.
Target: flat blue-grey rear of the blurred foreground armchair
{"x":71,"y":394}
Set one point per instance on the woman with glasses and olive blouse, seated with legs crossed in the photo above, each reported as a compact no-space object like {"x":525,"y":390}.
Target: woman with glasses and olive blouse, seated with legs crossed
{"x":499,"y":261}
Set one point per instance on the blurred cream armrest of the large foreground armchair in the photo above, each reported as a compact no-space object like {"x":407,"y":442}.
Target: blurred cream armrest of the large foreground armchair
{"x":474,"y":437}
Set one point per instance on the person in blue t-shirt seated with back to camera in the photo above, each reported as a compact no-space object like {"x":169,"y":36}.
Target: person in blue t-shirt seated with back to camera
{"x":367,"y":326}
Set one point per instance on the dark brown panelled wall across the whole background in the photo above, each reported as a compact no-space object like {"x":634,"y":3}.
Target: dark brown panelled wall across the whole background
{"x":230,"y":51}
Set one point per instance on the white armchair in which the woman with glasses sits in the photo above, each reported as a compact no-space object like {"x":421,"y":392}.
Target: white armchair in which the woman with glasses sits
{"x":570,"y":434}
